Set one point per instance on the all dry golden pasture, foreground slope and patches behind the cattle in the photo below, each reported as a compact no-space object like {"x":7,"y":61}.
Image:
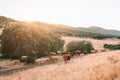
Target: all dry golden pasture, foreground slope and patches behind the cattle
{"x":99,"y":66}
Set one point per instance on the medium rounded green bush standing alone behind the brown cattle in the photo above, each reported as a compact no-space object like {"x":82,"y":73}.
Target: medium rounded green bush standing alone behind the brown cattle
{"x":83,"y":46}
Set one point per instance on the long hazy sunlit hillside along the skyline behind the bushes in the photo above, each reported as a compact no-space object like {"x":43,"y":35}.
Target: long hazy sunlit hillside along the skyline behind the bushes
{"x":92,"y":32}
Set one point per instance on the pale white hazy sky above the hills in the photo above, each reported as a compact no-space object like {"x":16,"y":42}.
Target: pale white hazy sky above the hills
{"x":84,"y":13}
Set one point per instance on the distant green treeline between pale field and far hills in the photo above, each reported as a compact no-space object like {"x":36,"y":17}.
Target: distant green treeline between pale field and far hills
{"x":87,"y":34}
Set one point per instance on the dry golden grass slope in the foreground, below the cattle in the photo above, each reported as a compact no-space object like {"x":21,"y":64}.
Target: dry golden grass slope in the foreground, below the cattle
{"x":103,"y":66}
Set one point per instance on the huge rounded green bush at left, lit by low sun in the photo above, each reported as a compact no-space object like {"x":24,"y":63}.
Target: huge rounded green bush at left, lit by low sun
{"x":25,"y":40}
